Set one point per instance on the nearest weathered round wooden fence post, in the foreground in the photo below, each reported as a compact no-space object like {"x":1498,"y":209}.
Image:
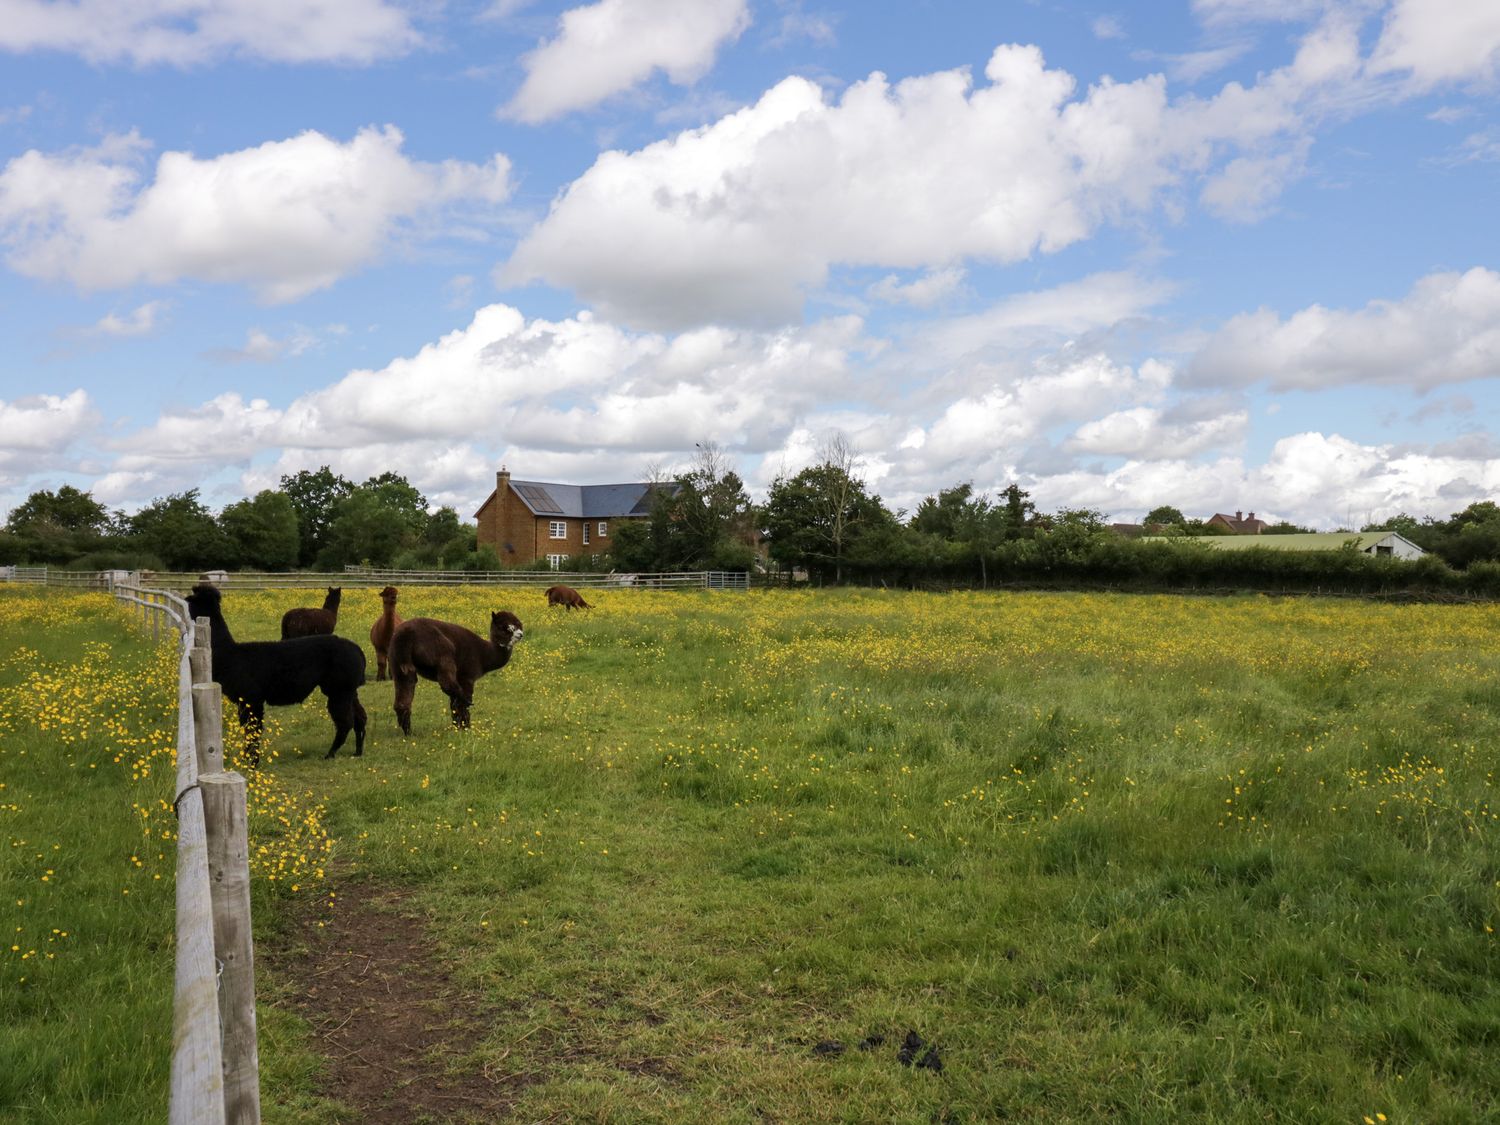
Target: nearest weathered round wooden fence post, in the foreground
{"x":230,"y":889}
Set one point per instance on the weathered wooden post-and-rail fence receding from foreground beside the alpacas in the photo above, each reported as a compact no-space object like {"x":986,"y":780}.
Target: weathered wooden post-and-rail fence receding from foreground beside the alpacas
{"x":215,"y":1075}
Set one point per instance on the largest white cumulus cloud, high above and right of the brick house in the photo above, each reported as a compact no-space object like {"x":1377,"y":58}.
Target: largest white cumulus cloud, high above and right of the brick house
{"x":737,"y":220}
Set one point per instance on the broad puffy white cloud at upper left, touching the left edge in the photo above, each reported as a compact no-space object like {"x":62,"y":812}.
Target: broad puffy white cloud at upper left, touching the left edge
{"x":287,"y":218}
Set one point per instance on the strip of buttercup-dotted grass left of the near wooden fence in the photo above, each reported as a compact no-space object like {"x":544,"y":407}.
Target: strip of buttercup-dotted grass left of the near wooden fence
{"x":86,"y":965}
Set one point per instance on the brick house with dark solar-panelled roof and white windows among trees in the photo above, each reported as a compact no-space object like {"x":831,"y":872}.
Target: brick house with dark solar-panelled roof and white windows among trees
{"x":530,"y":520}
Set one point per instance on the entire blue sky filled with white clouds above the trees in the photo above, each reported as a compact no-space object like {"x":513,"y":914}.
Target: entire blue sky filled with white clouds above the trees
{"x":1225,"y":256}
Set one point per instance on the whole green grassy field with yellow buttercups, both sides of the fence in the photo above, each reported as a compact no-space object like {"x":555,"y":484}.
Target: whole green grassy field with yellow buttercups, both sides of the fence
{"x":1150,"y":859}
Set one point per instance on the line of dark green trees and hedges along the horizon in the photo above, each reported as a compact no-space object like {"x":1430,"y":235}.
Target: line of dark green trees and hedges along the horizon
{"x":823,"y":523}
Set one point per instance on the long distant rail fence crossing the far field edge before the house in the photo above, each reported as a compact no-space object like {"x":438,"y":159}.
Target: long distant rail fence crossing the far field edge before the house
{"x":370,"y":577}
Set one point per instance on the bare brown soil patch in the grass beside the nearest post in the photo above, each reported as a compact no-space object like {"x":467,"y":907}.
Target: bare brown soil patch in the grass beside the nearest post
{"x":388,"y":1016}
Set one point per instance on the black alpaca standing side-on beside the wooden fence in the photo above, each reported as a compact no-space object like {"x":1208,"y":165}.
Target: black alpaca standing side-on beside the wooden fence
{"x":284,"y":673}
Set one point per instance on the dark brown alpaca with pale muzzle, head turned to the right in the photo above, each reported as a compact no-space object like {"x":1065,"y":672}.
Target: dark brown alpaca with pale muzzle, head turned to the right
{"x":452,"y":656}
